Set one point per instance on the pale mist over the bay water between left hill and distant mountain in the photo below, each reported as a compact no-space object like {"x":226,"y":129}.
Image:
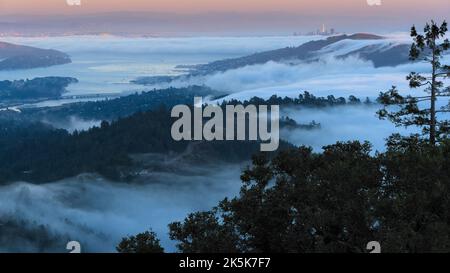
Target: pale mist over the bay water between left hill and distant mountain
{"x":107,"y":64}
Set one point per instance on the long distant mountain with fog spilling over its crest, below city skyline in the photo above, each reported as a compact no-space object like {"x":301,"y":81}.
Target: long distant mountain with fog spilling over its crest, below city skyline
{"x":377,"y":49}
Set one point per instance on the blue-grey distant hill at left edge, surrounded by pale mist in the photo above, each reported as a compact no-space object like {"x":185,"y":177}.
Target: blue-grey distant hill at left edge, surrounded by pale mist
{"x":14,"y":57}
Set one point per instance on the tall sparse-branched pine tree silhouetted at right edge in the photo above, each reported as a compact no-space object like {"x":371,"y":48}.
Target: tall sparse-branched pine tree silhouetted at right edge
{"x":422,"y":111}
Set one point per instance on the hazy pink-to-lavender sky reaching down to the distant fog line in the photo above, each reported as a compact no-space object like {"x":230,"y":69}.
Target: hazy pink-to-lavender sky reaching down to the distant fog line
{"x":232,"y":16}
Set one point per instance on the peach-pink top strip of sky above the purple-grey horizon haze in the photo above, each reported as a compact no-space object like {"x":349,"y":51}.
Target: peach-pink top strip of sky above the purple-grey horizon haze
{"x":198,"y":6}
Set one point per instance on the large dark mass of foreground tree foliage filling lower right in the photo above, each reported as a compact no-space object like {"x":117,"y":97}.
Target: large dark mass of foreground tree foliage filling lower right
{"x":335,"y":201}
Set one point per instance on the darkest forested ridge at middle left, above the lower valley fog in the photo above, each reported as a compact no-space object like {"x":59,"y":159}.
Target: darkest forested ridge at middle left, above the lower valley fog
{"x":36,"y":152}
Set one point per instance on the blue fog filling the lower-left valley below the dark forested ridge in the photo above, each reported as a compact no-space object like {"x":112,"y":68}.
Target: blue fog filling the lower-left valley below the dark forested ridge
{"x":98,"y":213}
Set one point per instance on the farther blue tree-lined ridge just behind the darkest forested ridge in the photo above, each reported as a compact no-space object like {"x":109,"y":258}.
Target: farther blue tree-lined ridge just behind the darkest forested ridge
{"x":112,"y":109}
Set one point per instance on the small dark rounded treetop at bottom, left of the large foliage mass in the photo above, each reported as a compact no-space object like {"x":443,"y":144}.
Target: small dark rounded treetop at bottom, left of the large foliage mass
{"x":146,"y":242}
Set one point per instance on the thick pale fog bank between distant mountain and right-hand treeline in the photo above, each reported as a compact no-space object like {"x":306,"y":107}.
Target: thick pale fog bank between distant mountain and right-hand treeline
{"x":330,"y":76}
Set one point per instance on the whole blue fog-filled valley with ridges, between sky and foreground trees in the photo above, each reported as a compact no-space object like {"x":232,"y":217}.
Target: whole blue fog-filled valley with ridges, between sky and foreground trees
{"x":95,"y":163}
